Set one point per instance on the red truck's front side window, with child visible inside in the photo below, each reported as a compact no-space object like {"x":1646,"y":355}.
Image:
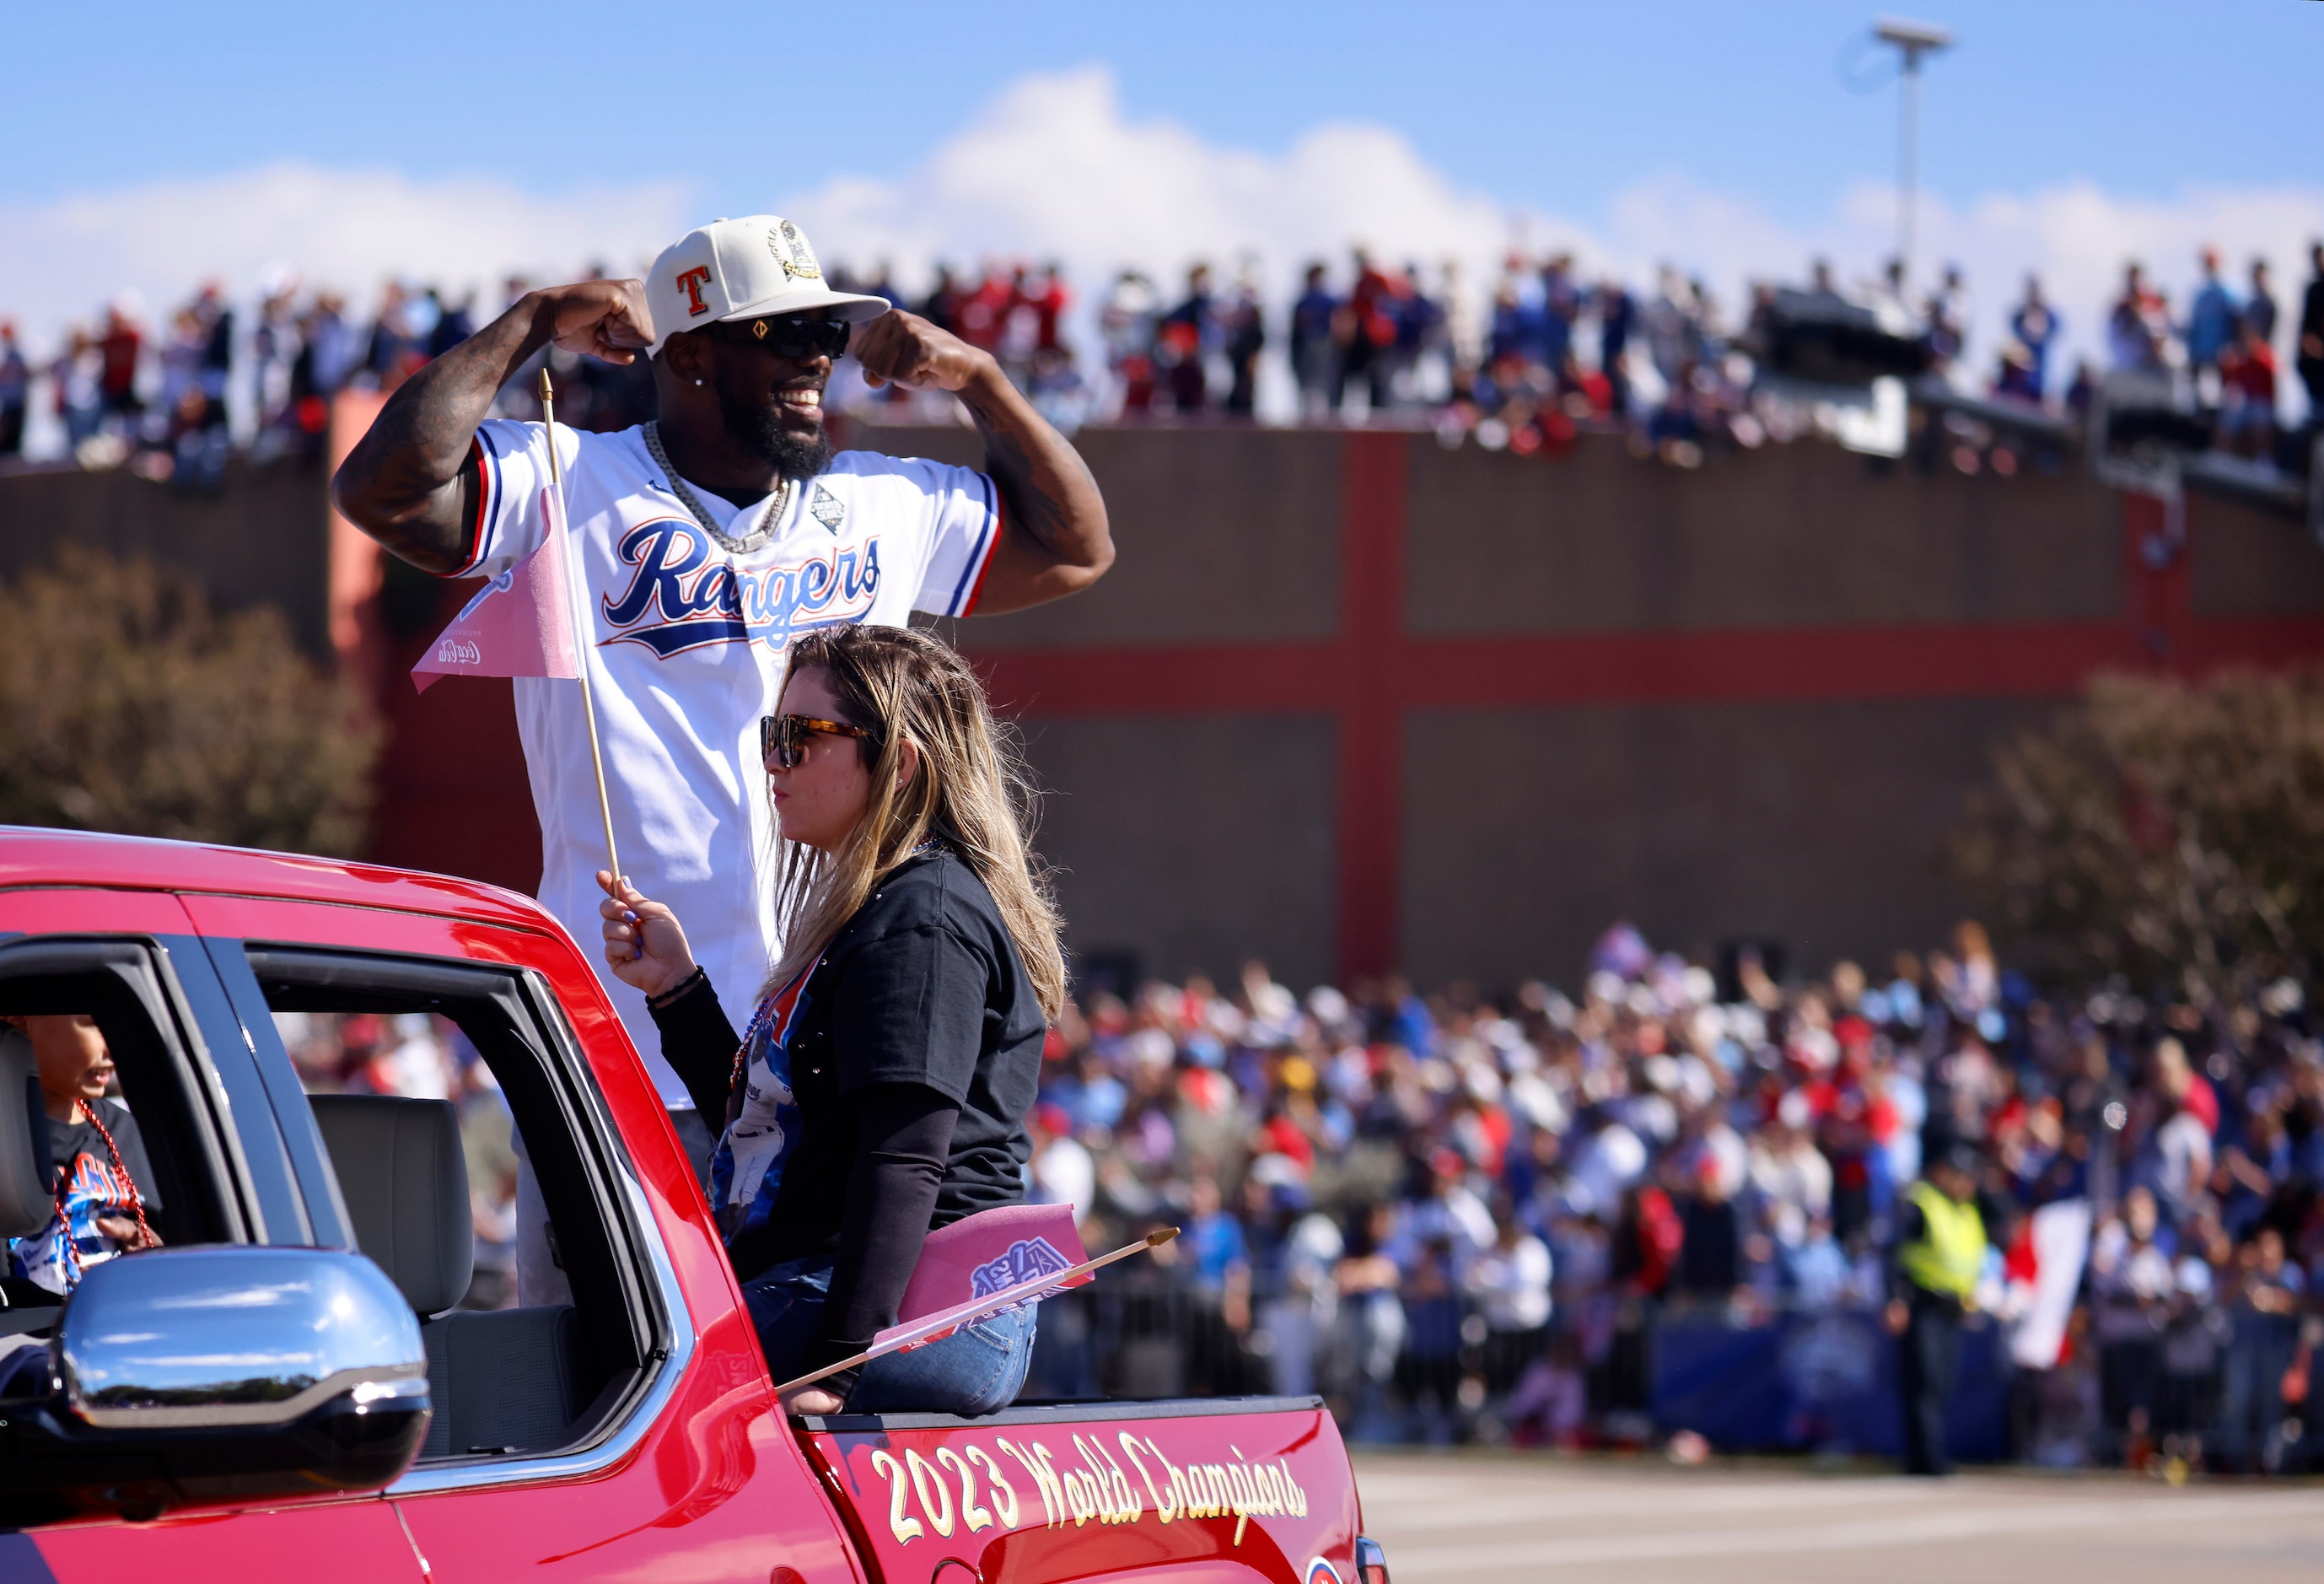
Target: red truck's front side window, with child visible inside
{"x":92,"y":1029}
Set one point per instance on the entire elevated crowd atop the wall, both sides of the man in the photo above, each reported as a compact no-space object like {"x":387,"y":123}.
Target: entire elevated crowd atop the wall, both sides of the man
{"x":1526,"y":362}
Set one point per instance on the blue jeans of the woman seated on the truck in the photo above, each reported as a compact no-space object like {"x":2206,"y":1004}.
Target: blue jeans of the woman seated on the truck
{"x":975,"y":1371}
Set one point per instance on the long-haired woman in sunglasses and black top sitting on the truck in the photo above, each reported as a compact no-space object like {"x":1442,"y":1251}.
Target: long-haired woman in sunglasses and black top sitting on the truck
{"x":903,"y":1022}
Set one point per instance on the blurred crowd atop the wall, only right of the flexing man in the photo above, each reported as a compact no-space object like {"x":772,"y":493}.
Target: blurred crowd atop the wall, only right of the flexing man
{"x":1551,"y":352}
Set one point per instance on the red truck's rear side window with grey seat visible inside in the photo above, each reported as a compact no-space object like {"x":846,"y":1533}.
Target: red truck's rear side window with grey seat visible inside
{"x":436,"y":1087}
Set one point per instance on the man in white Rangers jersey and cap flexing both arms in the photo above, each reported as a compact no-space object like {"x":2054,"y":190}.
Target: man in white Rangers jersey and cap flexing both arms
{"x":703,"y":543}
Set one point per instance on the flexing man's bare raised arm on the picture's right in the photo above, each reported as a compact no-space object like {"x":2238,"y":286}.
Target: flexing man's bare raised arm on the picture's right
{"x":1054,"y":522}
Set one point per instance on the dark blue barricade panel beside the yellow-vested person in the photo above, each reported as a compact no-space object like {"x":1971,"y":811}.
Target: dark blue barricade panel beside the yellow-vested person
{"x":1816,"y":1383}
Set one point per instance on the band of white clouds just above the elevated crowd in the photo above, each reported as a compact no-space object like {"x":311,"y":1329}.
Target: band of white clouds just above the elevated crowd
{"x":1054,"y":169}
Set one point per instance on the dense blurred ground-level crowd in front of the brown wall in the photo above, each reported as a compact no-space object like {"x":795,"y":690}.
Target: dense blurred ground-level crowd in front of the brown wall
{"x":1468,"y":1218}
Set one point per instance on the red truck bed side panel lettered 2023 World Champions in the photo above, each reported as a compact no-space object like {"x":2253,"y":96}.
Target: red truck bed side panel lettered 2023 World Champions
{"x":1210,"y":1487}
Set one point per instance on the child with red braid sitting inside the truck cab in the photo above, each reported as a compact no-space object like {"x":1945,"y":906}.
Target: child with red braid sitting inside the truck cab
{"x":101,"y":1176}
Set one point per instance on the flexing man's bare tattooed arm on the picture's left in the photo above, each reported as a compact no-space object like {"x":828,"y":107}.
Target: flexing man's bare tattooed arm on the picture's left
{"x":410,"y":483}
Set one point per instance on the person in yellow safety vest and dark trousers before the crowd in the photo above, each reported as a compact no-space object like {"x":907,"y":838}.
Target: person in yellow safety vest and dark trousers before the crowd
{"x":1932,"y":1285}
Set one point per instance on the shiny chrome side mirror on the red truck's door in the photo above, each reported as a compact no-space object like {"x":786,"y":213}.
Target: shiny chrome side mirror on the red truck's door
{"x":220,"y":1373}
